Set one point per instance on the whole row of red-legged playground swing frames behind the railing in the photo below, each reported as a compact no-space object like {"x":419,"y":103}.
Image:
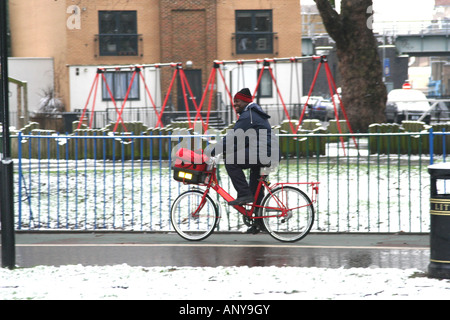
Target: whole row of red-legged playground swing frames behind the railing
{"x":215,"y":73}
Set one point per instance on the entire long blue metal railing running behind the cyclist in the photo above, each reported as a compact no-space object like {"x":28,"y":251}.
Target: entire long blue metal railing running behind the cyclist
{"x":102,"y":182}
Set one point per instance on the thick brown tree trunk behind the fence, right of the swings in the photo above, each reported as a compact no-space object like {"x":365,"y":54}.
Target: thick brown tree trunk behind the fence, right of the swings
{"x":363,"y":91}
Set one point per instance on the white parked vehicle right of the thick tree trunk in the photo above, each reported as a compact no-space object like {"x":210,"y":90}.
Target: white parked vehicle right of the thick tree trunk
{"x":407,"y":104}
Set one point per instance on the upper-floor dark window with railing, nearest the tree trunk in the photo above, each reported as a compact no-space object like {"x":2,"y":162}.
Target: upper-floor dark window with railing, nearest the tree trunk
{"x":254,"y":31}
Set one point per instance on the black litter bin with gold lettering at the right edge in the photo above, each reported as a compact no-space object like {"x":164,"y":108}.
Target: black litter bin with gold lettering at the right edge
{"x":439,"y":266}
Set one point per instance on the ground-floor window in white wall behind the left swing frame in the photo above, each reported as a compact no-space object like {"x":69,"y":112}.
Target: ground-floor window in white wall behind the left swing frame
{"x":118,"y":82}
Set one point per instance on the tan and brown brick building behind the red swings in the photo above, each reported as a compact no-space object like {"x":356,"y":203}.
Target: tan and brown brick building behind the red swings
{"x":82,"y":35}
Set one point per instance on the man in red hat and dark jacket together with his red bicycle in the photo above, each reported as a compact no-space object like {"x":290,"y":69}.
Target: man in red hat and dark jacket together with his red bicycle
{"x":286,"y":213}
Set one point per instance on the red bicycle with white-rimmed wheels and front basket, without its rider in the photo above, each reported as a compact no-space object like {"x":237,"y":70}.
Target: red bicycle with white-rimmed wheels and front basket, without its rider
{"x":286,"y":212}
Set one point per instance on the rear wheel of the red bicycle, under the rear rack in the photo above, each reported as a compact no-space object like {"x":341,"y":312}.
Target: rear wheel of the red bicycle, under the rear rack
{"x":299,"y":217}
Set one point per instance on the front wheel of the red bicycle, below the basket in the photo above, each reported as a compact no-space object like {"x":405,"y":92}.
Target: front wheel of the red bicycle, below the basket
{"x":194,"y":215}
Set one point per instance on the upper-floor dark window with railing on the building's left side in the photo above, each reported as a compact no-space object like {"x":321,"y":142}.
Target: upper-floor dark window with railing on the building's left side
{"x":118,"y":33}
